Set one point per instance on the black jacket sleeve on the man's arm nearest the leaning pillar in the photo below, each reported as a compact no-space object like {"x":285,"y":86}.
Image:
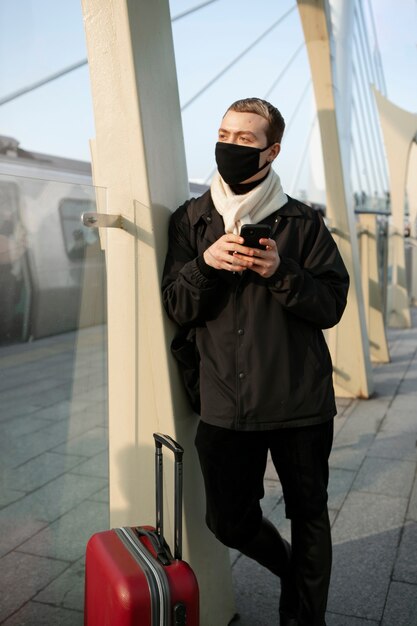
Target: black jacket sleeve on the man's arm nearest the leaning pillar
{"x":188,"y":283}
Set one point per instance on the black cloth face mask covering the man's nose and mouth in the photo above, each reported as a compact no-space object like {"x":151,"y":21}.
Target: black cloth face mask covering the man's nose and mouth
{"x":238,"y":163}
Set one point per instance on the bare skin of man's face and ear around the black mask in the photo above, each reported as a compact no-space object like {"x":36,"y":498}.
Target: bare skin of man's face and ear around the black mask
{"x":248,"y":129}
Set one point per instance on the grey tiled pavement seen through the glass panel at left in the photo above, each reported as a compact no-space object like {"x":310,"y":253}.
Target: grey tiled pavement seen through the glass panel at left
{"x":53,"y":474}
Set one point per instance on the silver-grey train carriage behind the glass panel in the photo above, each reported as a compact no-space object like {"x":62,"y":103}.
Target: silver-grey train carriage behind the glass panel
{"x":46,"y":254}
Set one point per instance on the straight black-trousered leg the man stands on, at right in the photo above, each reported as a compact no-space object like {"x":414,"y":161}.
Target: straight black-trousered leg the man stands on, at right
{"x":300,"y":456}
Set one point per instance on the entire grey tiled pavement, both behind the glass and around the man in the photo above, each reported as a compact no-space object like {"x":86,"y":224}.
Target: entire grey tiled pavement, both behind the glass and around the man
{"x":53,"y":490}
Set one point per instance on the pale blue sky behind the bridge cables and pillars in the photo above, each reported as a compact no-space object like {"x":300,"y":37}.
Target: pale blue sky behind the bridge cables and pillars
{"x":39,"y":37}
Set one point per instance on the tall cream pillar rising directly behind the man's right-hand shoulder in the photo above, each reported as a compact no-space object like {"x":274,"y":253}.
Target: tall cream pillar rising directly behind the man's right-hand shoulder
{"x":348,"y":342}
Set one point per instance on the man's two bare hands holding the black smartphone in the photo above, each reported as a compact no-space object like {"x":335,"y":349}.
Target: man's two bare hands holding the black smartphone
{"x":228,"y":253}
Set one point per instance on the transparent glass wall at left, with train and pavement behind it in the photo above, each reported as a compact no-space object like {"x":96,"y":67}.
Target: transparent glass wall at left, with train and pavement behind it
{"x":53,"y":396}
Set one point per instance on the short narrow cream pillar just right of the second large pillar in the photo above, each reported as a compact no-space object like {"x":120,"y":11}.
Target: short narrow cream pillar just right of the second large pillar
{"x":371,"y":288}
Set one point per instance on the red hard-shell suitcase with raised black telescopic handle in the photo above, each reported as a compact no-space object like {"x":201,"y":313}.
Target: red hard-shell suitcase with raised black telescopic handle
{"x":131,"y":577}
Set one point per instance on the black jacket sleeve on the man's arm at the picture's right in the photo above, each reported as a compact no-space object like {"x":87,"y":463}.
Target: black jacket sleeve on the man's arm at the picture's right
{"x":316,"y":289}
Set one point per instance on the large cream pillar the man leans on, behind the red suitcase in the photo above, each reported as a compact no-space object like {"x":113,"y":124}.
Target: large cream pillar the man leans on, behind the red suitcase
{"x":138,"y":155}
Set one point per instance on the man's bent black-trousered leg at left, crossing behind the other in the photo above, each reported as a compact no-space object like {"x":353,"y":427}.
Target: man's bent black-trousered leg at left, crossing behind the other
{"x":233,"y":465}
